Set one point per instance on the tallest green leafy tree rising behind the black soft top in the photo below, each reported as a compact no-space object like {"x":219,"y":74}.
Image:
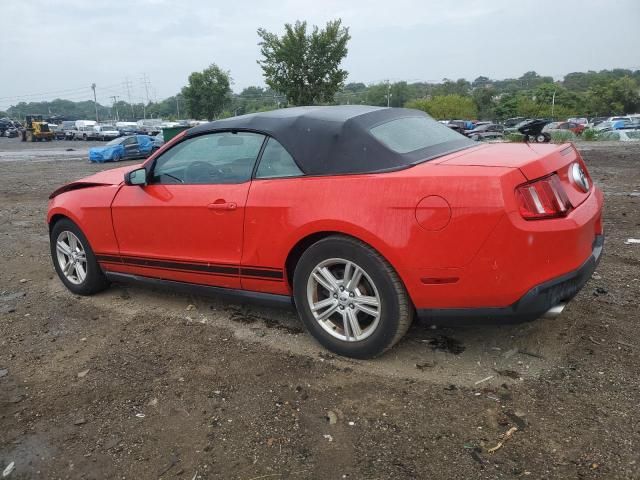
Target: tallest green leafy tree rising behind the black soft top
{"x":305,"y":66}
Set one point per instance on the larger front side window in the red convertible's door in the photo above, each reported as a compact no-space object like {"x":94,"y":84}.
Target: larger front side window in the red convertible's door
{"x":213,"y":158}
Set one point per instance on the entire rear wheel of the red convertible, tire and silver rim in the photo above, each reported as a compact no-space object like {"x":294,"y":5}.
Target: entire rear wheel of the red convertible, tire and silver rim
{"x":350,"y":299}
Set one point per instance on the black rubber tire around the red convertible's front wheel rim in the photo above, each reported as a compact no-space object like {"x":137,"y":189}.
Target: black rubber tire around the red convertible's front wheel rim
{"x":95,"y":280}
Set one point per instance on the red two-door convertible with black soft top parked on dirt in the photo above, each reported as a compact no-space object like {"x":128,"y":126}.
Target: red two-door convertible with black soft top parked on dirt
{"x":361,"y":217}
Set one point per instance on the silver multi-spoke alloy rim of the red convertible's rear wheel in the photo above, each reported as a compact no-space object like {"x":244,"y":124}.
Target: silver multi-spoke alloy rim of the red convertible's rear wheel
{"x":344,"y":300}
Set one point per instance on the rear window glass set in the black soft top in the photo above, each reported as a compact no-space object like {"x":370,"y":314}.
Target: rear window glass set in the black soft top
{"x":408,"y":134}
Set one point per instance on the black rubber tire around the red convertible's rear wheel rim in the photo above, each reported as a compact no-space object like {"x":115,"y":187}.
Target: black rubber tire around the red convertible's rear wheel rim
{"x":395,"y":311}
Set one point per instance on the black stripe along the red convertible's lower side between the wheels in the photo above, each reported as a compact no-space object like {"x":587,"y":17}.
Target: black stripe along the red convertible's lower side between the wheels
{"x":226,"y":270}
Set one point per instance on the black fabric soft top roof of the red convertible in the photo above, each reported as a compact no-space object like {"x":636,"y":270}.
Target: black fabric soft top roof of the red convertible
{"x":334,"y":140}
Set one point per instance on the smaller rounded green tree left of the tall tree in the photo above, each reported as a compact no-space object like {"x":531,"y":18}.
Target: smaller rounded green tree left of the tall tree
{"x":206,"y":92}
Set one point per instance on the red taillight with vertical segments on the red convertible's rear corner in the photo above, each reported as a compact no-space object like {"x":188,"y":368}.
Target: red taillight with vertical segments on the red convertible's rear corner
{"x":543,"y":198}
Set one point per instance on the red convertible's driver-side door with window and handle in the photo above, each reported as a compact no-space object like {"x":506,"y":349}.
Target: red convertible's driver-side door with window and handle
{"x":186,"y":224}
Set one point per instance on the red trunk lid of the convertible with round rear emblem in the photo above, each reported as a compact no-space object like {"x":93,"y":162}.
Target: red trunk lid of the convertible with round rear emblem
{"x":533,"y":160}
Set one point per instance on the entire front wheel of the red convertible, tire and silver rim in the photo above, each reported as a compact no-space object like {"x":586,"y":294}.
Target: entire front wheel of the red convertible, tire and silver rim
{"x":74,"y":259}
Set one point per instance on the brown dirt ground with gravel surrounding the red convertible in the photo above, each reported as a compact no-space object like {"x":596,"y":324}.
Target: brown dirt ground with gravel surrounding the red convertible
{"x":139,"y":384}
